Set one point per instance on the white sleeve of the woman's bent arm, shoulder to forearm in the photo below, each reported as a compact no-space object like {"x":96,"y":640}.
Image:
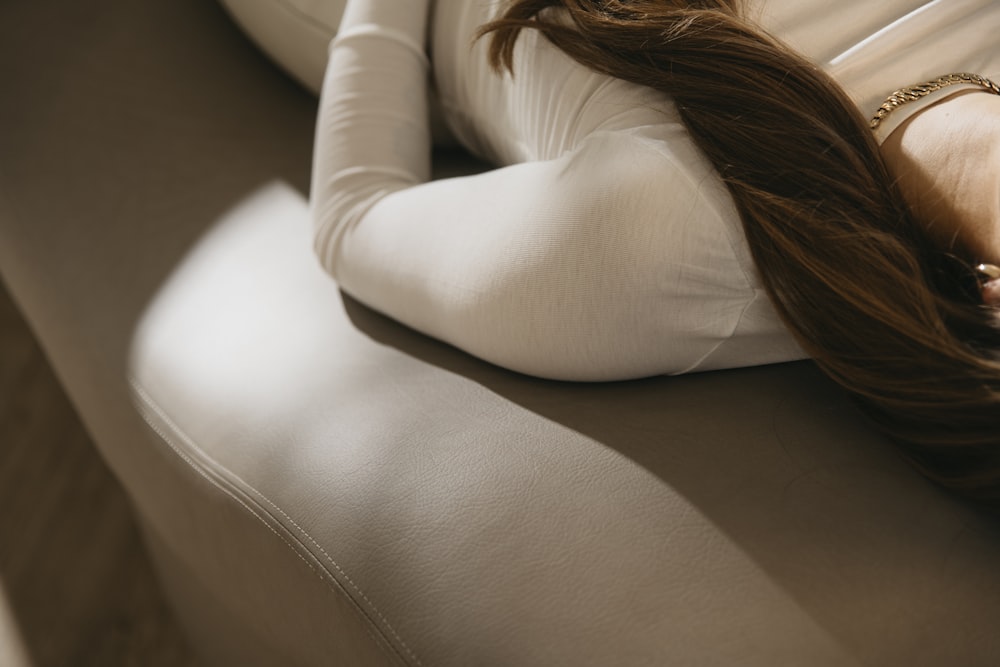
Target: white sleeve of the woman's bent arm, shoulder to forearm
{"x":602,"y":264}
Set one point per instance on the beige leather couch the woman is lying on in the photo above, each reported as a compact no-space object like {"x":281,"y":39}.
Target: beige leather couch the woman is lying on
{"x":319,"y":486}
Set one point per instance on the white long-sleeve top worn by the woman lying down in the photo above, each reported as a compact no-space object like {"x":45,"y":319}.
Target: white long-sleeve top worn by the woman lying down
{"x":603,"y":246}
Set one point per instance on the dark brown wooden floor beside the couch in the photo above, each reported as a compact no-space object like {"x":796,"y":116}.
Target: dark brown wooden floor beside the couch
{"x":76,"y":587}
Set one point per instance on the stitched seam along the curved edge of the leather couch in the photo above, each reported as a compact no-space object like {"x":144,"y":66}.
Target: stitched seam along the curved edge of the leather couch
{"x":152,"y":405}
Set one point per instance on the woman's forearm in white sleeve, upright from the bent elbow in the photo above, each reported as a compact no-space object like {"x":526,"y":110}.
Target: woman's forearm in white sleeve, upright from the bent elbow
{"x":372,"y":135}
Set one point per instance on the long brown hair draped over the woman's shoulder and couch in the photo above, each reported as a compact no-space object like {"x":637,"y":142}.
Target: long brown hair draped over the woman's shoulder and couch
{"x":896,"y":320}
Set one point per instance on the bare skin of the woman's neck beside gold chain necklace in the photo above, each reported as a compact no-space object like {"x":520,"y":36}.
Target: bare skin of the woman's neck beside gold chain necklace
{"x":946,"y":159}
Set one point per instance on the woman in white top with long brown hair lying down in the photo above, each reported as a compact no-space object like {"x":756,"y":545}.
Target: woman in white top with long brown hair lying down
{"x":676,"y":191}
